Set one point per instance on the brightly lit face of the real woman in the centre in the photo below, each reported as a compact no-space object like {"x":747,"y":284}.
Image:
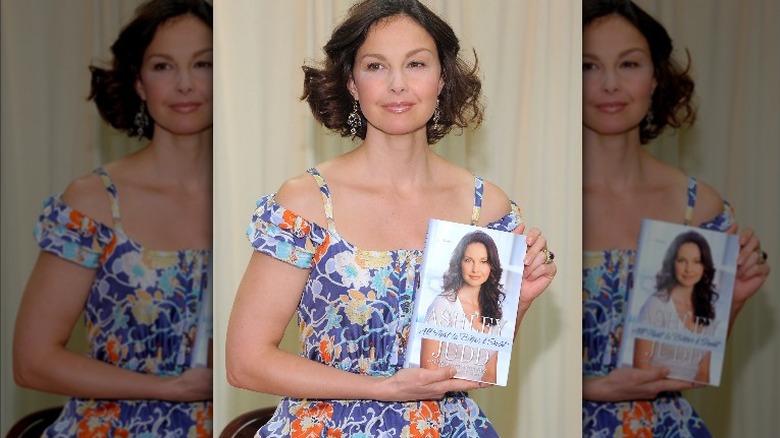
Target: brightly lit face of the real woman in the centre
{"x":397,"y":76}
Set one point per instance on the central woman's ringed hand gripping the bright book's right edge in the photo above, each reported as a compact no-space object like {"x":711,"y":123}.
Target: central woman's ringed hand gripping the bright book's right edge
{"x":537,"y":275}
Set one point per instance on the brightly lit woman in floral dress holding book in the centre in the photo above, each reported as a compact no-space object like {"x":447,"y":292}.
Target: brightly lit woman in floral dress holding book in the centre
{"x":341,"y":244}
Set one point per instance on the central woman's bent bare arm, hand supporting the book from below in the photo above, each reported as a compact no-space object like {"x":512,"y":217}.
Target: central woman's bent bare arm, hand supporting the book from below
{"x":266,"y":299}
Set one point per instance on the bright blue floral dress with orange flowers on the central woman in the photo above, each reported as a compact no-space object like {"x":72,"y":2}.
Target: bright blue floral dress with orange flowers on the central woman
{"x":355,"y":315}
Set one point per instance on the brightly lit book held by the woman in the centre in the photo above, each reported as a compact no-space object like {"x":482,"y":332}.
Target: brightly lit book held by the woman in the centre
{"x":465,"y":307}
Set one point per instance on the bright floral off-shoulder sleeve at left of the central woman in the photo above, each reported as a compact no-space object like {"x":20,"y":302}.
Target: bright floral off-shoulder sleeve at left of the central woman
{"x":283,"y":235}
